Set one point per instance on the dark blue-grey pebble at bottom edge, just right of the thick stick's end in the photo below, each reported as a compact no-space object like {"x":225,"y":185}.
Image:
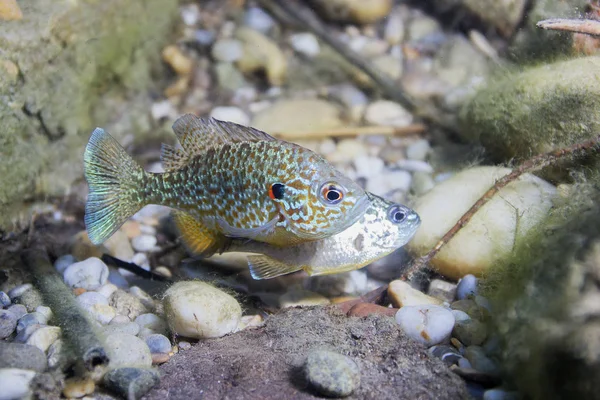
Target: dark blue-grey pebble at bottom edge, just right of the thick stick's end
{"x":131,"y":383}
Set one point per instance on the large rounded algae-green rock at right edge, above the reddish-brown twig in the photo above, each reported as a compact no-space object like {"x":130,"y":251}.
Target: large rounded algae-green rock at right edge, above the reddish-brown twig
{"x":536,"y":110}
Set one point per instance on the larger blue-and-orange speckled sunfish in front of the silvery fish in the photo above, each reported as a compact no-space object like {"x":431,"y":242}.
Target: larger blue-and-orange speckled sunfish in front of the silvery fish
{"x":225,"y":181}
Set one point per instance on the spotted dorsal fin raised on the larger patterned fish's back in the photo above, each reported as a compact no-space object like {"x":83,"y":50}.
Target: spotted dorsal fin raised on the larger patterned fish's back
{"x":196,"y":134}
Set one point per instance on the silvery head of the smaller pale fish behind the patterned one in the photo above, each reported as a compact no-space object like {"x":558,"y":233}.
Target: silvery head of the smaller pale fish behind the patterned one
{"x":389,"y":225}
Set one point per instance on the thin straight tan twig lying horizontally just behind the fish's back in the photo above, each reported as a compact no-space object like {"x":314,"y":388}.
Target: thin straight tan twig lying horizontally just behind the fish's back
{"x":353,"y":131}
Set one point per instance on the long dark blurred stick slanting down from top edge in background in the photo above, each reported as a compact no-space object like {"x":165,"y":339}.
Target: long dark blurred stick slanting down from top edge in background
{"x":391,"y":89}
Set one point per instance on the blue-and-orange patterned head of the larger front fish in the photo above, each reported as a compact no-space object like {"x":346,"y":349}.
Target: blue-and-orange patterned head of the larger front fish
{"x":320,"y":201}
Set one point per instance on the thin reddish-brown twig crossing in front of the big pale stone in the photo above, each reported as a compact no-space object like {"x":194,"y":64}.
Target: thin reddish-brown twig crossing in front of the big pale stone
{"x":535,"y":163}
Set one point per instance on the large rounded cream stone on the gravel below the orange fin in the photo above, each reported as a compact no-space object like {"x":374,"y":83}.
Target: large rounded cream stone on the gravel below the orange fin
{"x":198,"y":310}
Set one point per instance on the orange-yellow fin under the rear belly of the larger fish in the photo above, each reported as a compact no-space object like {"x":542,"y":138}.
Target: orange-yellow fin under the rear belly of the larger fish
{"x":196,"y":237}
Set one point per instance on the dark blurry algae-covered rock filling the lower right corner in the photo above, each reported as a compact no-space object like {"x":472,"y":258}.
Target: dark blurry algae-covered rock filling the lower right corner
{"x":546,"y":302}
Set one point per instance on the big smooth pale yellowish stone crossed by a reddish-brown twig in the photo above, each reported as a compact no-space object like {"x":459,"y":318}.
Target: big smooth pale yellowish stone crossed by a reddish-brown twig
{"x":492,"y":232}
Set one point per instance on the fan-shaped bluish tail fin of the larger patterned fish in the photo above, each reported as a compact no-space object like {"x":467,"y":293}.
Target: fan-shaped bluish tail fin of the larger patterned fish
{"x":115,"y":181}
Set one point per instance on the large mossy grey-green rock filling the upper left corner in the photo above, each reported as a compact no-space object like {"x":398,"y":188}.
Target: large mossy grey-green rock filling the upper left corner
{"x":56,"y":65}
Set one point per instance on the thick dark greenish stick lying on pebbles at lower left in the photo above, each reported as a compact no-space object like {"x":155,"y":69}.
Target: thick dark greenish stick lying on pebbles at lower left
{"x":76,"y":329}
